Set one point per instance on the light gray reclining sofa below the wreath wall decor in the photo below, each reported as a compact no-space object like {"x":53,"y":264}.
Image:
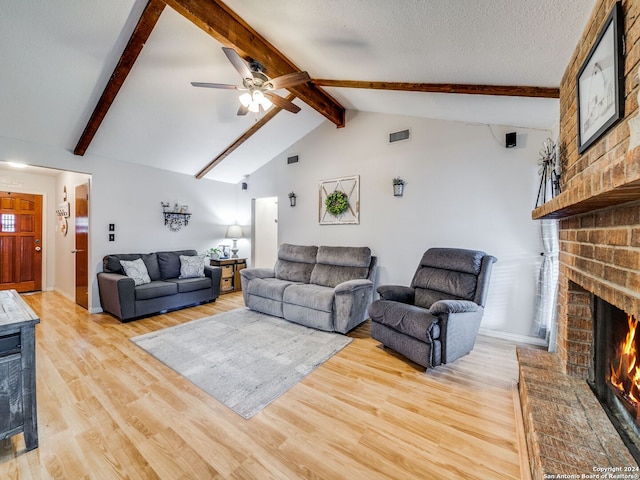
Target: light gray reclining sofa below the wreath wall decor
{"x":327,"y":288}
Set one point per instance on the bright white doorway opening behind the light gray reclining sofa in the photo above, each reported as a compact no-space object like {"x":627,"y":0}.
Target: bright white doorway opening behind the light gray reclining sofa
{"x":264,"y":228}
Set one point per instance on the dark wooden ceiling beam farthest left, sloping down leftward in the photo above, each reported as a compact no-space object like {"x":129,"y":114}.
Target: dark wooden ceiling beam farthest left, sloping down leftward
{"x":141,"y":33}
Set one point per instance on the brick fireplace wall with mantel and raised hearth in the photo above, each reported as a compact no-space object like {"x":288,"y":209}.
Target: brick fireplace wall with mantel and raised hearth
{"x":599,"y":216}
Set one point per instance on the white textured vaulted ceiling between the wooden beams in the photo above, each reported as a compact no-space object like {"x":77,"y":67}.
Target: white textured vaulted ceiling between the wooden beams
{"x":58,"y":56}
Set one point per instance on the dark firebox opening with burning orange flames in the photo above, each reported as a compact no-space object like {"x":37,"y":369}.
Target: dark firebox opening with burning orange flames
{"x":615,"y":373}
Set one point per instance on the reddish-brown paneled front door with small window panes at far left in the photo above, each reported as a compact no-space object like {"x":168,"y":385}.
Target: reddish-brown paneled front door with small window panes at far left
{"x":20,"y":241}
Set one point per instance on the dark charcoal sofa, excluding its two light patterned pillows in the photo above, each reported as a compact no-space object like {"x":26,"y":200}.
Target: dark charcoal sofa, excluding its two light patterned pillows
{"x":120,"y":296}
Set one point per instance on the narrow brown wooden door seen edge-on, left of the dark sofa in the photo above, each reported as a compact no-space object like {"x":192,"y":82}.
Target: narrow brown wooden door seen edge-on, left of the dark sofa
{"x":82,"y":245}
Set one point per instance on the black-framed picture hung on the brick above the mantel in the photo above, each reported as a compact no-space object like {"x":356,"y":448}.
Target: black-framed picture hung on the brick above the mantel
{"x":600,"y":82}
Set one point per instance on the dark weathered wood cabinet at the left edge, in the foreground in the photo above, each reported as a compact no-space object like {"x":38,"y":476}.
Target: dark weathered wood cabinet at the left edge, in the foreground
{"x":18,"y":412}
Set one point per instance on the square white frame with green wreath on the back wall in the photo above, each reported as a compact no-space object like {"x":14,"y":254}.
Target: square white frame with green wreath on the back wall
{"x":339,"y":201}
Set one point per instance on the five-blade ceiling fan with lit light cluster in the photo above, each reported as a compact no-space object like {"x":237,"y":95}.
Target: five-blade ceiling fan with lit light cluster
{"x":257,"y":86}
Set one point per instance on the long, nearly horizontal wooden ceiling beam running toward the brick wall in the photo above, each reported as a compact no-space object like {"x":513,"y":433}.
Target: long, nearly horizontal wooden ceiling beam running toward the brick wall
{"x":498,"y":90}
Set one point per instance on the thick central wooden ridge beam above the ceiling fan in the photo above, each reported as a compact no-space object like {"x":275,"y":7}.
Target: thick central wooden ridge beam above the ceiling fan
{"x":215,"y":18}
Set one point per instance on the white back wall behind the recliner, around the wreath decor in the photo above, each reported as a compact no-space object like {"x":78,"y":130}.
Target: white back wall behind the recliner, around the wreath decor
{"x":464,"y":189}
